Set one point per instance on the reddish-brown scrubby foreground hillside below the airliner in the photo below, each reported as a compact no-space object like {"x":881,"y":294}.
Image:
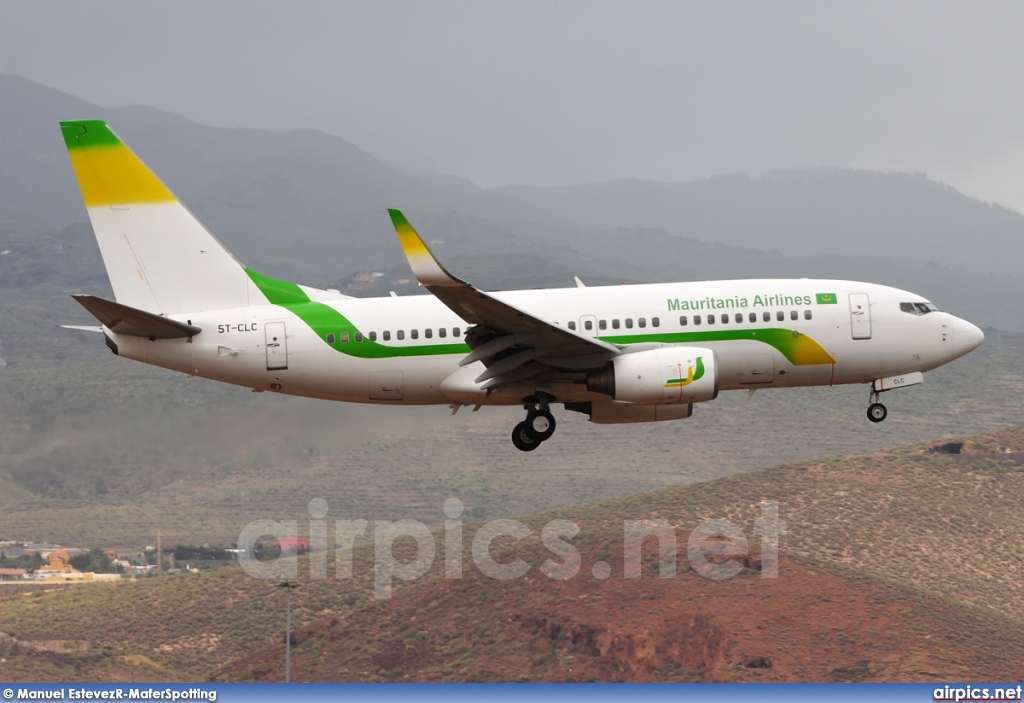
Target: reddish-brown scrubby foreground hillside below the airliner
{"x":877,"y":583}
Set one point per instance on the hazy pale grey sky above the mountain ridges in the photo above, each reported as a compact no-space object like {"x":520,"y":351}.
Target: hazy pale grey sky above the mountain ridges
{"x":561,"y":93}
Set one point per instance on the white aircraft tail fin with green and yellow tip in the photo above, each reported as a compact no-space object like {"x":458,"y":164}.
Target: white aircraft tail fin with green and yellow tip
{"x":159,"y":257}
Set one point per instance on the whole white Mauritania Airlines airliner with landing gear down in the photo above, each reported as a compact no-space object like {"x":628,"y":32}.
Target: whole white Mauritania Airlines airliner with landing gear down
{"x":619,"y":355}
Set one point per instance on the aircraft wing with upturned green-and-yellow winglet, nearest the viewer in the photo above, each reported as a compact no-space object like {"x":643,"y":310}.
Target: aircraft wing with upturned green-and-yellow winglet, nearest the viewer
{"x":515,"y":345}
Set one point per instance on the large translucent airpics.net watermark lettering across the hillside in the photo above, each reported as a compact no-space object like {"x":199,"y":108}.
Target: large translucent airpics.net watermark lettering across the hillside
{"x":716,"y":549}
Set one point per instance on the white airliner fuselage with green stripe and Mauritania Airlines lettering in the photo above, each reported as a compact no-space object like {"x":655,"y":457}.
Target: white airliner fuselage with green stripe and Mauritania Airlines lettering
{"x":776,"y":334}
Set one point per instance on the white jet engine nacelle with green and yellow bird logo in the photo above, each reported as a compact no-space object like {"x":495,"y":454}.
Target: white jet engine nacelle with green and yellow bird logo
{"x":666,"y":376}
